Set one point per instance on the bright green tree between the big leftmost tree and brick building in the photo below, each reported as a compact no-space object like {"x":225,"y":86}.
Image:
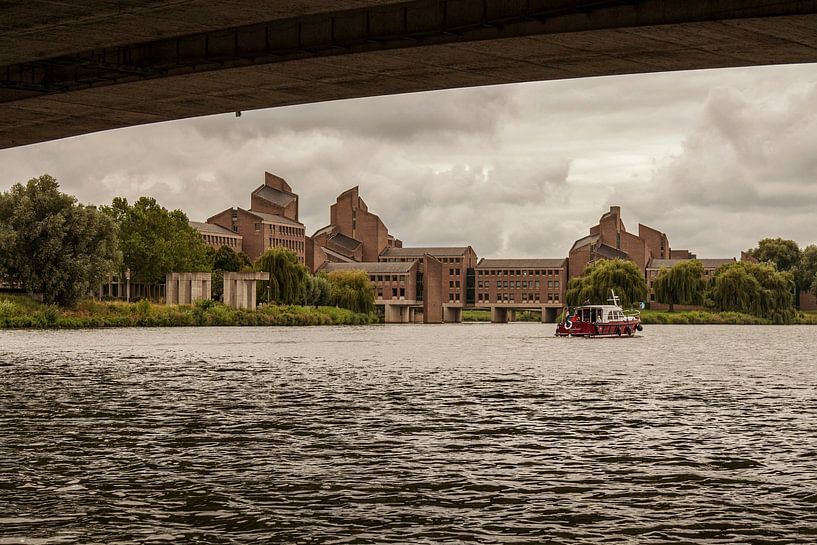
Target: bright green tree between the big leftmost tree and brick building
{"x":155,"y":241}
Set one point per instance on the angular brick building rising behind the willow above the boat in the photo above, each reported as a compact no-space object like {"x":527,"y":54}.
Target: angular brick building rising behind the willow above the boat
{"x":609,"y":239}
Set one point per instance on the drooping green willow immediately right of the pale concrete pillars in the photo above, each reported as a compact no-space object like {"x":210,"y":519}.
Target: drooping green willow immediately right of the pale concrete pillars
{"x":289,"y":280}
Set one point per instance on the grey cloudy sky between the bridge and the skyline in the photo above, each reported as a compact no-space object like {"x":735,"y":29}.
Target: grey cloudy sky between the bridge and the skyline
{"x":717,"y":159}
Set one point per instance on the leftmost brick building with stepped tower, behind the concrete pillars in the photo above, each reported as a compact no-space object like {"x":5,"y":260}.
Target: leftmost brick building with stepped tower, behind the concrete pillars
{"x":271,"y":221}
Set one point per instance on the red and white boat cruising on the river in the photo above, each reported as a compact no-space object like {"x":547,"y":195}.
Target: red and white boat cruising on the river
{"x":600,"y":321}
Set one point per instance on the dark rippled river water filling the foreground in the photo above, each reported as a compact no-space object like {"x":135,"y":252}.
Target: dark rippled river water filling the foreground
{"x":471,"y":433}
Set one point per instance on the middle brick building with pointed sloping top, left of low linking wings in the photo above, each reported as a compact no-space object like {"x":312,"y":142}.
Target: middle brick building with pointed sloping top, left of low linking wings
{"x":353,"y":234}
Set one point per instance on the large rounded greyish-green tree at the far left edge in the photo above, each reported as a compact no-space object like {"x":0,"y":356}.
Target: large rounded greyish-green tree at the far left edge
{"x":51,"y":244}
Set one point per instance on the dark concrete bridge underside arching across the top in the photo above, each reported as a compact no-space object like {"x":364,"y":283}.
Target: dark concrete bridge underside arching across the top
{"x":69,"y":68}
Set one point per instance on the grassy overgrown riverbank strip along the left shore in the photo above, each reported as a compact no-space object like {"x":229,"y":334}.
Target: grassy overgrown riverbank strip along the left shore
{"x":20,"y":312}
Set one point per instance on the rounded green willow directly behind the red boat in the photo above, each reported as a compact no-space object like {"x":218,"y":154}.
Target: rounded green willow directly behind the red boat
{"x":600,"y":277}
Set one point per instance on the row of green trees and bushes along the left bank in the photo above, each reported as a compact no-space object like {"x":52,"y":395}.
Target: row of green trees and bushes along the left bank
{"x":55,"y":246}
